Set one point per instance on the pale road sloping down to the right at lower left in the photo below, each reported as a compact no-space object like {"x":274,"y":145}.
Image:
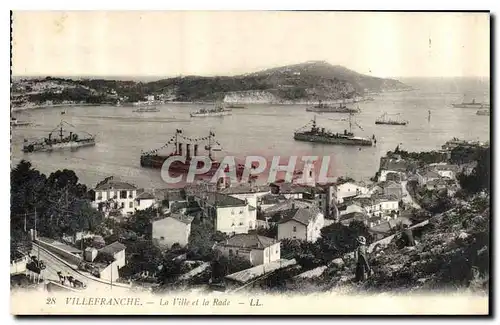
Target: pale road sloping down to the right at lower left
{"x":54,"y":265}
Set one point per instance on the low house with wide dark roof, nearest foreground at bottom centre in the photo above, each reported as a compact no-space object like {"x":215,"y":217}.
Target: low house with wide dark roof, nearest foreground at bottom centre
{"x":254,"y":248}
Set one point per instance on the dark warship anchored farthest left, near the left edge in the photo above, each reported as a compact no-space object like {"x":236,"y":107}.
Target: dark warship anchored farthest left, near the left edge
{"x":64,"y":140}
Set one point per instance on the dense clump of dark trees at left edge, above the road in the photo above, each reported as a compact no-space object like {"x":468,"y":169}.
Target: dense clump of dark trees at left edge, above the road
{"x":59,"y":200}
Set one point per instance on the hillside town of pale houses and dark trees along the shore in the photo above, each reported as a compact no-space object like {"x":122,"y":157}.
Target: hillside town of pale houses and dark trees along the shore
{"x":284,"y":236}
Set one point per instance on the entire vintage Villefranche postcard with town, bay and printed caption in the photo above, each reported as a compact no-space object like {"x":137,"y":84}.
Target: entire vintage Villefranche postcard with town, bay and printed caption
{"x":258,"y":162}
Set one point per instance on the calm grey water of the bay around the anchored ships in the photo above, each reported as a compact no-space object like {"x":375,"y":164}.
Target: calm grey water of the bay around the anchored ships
{"x":260,"y":129}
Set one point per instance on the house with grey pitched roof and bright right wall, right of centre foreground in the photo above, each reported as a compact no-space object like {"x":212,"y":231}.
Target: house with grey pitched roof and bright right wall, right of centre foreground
{"x":303,"y":224}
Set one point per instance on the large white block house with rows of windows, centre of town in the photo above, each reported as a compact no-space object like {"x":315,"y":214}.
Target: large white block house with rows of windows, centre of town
{"x":231,"y":215}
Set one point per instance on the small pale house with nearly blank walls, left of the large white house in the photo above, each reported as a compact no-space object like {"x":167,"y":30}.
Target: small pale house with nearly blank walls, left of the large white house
{"x":173,"y":229}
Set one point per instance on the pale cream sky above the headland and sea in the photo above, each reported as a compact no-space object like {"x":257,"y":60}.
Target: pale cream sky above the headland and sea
{"x":165,"y":44}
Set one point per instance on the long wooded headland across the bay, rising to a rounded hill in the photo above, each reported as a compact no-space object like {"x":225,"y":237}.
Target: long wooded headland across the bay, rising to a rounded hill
{"x":305,"y":82}
